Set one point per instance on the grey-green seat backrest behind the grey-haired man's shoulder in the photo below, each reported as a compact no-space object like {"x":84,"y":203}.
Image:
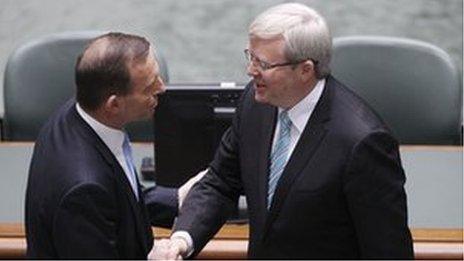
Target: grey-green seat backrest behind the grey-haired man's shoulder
{"x":413,"y":85}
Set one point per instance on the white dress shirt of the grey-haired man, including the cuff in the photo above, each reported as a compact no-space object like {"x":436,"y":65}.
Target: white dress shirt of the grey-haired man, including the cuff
{"x":299,"y":116}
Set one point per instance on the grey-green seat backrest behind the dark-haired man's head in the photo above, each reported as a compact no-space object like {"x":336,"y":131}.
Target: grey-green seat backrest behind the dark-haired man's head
{"x":39,"y":77}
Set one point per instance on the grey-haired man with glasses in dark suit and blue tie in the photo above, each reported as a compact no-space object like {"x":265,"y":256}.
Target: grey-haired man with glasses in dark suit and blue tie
{"x":320,"y":170}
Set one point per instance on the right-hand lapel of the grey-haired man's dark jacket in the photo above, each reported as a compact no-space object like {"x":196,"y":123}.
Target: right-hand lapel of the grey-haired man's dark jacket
{"x":307,"y":145}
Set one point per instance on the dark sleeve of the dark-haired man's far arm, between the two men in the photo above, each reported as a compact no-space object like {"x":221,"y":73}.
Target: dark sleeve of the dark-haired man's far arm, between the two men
{"x":162,"y":205}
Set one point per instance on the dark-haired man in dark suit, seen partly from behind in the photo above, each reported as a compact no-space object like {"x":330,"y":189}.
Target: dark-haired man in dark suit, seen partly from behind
{"x":83,"y":195}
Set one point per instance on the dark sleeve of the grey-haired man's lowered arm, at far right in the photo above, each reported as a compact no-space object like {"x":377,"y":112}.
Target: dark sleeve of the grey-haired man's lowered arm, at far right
{"x":374,"y":189}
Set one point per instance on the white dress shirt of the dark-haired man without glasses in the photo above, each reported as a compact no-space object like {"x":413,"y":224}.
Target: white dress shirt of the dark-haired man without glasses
{"x":113,"y":139}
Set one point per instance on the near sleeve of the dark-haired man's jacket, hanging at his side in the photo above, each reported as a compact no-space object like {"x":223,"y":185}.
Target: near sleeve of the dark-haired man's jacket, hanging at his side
{"x":84,"y":226}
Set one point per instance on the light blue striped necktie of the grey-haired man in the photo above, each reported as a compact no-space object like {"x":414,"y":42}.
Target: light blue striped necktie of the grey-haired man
{"x":279,"y":155}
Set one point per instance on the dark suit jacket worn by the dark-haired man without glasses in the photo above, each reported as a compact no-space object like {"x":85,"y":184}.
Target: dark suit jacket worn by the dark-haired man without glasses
{"x":79,"y":203}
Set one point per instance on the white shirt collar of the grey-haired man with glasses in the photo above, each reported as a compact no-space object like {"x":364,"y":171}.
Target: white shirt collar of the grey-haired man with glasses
{"x":300,"y":113}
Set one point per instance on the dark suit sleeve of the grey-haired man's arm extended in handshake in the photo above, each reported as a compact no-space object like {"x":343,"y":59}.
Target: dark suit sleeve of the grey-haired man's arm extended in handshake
{"x":211,"y":200}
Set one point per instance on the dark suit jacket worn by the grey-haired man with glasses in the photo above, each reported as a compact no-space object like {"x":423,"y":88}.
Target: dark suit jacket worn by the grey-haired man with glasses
{"x":340,"y":196}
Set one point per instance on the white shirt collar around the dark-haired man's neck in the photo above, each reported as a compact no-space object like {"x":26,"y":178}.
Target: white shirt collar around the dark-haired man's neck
{"x":113,"y":138}
